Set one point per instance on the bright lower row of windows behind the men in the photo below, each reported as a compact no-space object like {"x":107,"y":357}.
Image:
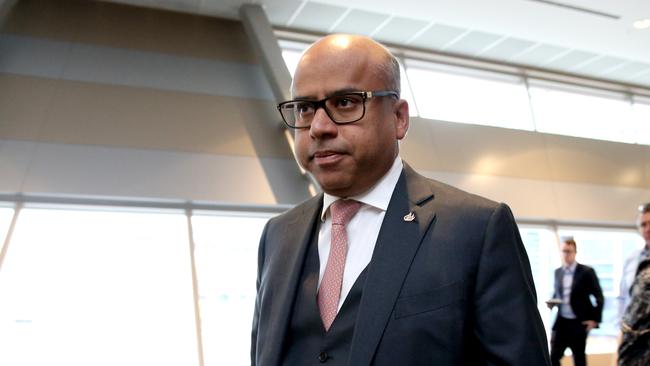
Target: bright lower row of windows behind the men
{"x":77,"y":281}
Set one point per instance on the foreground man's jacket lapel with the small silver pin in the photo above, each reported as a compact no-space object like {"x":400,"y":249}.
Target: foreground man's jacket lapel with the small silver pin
{"x":397,"y":243}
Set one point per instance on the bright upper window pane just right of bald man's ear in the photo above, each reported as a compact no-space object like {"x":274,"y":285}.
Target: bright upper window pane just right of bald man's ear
{"x":444,"y":95}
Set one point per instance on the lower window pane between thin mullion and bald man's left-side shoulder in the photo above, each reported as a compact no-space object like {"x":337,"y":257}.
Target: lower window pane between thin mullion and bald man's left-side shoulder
{"x":226,"y":263}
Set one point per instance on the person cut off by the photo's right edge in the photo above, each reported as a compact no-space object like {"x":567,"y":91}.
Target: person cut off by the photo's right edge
{"x":635,"y":324}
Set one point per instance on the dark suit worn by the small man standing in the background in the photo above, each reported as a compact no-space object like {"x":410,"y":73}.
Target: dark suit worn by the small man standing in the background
{"x":585,"y":285}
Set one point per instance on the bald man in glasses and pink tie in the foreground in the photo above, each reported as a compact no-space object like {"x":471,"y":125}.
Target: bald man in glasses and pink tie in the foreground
{"x":386,"y":267}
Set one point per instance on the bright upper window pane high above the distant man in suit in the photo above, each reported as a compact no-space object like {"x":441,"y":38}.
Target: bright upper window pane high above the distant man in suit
{"x":582,"y":115}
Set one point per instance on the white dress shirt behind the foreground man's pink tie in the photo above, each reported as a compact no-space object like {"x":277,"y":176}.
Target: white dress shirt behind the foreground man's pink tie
{"x":362,"y":229}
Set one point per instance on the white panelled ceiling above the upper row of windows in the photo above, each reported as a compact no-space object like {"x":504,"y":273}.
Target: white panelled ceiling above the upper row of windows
{"x":586,"y":37}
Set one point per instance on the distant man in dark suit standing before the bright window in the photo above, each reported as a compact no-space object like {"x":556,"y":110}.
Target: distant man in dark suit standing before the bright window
{"x":575,"y":284}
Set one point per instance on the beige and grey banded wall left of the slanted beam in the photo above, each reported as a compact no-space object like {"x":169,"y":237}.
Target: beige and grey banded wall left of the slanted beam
{"x":101,"y":99}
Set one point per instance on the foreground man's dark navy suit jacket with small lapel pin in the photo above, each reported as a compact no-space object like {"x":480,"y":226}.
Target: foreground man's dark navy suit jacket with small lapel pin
{"x":453,"y":287}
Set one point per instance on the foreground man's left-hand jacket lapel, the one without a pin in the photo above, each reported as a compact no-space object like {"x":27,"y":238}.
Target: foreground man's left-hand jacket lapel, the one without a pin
{"x":298,"y":230}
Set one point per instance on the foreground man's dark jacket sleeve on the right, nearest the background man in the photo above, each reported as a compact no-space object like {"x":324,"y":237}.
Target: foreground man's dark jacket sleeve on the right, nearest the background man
{"x":508,"y":324}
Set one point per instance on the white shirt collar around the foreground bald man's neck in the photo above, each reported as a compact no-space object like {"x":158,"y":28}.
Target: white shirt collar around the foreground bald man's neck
{"x":378,"y":196}
